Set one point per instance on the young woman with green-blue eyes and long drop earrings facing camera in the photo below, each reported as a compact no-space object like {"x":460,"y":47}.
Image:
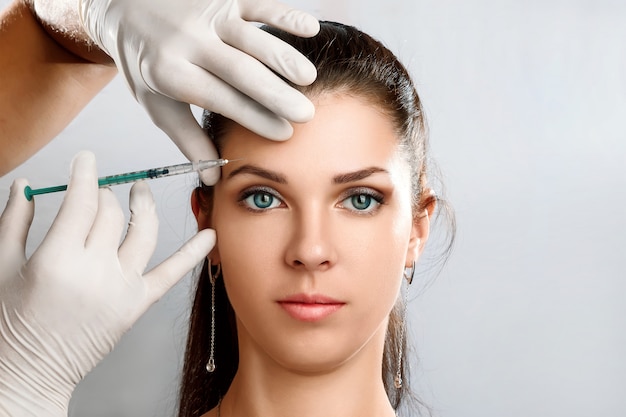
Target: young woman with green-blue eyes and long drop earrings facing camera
{"x":298,"y":310}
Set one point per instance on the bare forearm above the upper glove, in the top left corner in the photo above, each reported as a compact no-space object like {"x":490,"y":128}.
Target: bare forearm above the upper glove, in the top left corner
{"x":44,"y":84}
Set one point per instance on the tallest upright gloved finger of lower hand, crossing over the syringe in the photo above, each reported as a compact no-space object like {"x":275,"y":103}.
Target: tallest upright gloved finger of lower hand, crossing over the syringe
{"x":80,"y":205}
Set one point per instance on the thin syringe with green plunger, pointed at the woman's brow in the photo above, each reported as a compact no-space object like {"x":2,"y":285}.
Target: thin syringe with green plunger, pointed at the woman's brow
{"x":136,"y":176}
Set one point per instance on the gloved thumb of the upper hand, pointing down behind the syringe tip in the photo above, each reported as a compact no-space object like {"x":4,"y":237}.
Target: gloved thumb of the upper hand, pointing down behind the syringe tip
{"x":177,"y":121}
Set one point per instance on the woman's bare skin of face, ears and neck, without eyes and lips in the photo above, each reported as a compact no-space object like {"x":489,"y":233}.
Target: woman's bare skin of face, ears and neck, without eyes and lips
{"x":313,"y":240}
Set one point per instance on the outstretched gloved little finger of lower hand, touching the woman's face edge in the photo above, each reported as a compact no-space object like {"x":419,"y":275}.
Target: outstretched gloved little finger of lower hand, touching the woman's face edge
{"x":169,"y":272}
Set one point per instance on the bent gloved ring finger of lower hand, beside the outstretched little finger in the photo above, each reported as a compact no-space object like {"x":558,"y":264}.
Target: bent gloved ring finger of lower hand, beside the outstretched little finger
{"x":143,"y":229}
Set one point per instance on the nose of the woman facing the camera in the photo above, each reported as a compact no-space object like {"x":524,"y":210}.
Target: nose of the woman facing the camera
{"x":311,"y":246}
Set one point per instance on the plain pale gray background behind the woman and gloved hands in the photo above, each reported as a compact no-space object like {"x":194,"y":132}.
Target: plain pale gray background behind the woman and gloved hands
{"x":526,"y":103}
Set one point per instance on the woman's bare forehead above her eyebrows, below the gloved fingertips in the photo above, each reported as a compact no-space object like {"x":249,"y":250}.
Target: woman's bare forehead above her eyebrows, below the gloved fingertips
{"x":346,"y":133}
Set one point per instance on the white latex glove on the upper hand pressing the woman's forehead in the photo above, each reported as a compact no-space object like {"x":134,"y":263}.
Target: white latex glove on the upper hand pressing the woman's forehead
{"x":207,"y":53}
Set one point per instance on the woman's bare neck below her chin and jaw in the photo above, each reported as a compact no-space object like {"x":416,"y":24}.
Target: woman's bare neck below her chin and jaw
{"x":264,"y":388}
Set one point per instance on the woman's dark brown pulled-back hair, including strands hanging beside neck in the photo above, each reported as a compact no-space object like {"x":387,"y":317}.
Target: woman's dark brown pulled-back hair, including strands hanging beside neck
{"x":351,"y":62}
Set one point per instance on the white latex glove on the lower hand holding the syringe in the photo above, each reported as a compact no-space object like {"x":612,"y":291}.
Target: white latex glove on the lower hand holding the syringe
{"x":65,"y":308}
